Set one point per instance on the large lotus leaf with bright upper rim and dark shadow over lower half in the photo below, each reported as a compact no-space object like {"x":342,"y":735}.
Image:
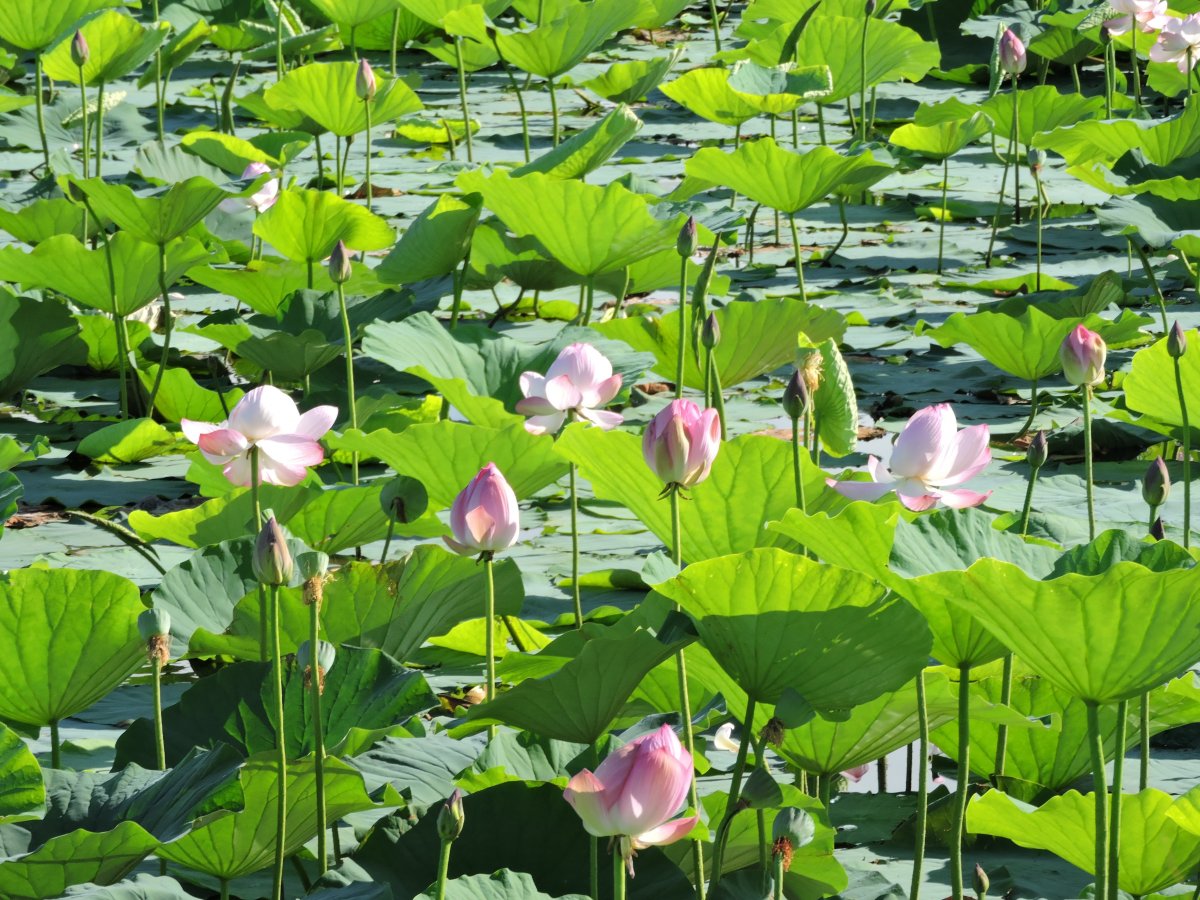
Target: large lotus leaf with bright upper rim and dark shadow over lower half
{"x":779,"y":622}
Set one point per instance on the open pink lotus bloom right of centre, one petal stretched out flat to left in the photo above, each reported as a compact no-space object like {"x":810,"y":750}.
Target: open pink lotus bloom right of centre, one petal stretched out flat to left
{"x":929,"y":457}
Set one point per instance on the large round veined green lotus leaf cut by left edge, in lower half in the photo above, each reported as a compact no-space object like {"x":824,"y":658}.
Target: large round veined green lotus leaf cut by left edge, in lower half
{"x":68,"y":638}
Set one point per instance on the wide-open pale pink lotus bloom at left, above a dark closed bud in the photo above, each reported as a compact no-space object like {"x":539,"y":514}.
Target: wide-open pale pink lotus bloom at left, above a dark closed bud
{"x":267,"y":419}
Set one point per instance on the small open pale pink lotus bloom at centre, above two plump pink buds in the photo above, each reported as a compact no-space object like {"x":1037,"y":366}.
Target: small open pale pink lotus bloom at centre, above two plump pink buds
{"x":579,"y":382}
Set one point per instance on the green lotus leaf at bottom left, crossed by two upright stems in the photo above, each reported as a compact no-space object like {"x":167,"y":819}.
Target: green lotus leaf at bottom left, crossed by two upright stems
{"x":227,"y":844}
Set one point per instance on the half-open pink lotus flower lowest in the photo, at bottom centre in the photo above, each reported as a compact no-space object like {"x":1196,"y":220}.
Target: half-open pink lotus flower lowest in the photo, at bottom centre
{"x":635,"y":794}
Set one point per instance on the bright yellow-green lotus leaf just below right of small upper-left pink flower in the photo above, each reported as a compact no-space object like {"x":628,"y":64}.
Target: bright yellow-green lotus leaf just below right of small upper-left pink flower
{"x":305,"y":226}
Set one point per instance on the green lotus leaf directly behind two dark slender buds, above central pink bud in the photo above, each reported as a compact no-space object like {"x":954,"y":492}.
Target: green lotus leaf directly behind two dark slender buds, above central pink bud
{"x":757,"y":338}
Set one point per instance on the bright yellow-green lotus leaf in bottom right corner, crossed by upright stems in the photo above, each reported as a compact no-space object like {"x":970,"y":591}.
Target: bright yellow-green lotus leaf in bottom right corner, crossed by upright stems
{"x":1156,"y":850}
